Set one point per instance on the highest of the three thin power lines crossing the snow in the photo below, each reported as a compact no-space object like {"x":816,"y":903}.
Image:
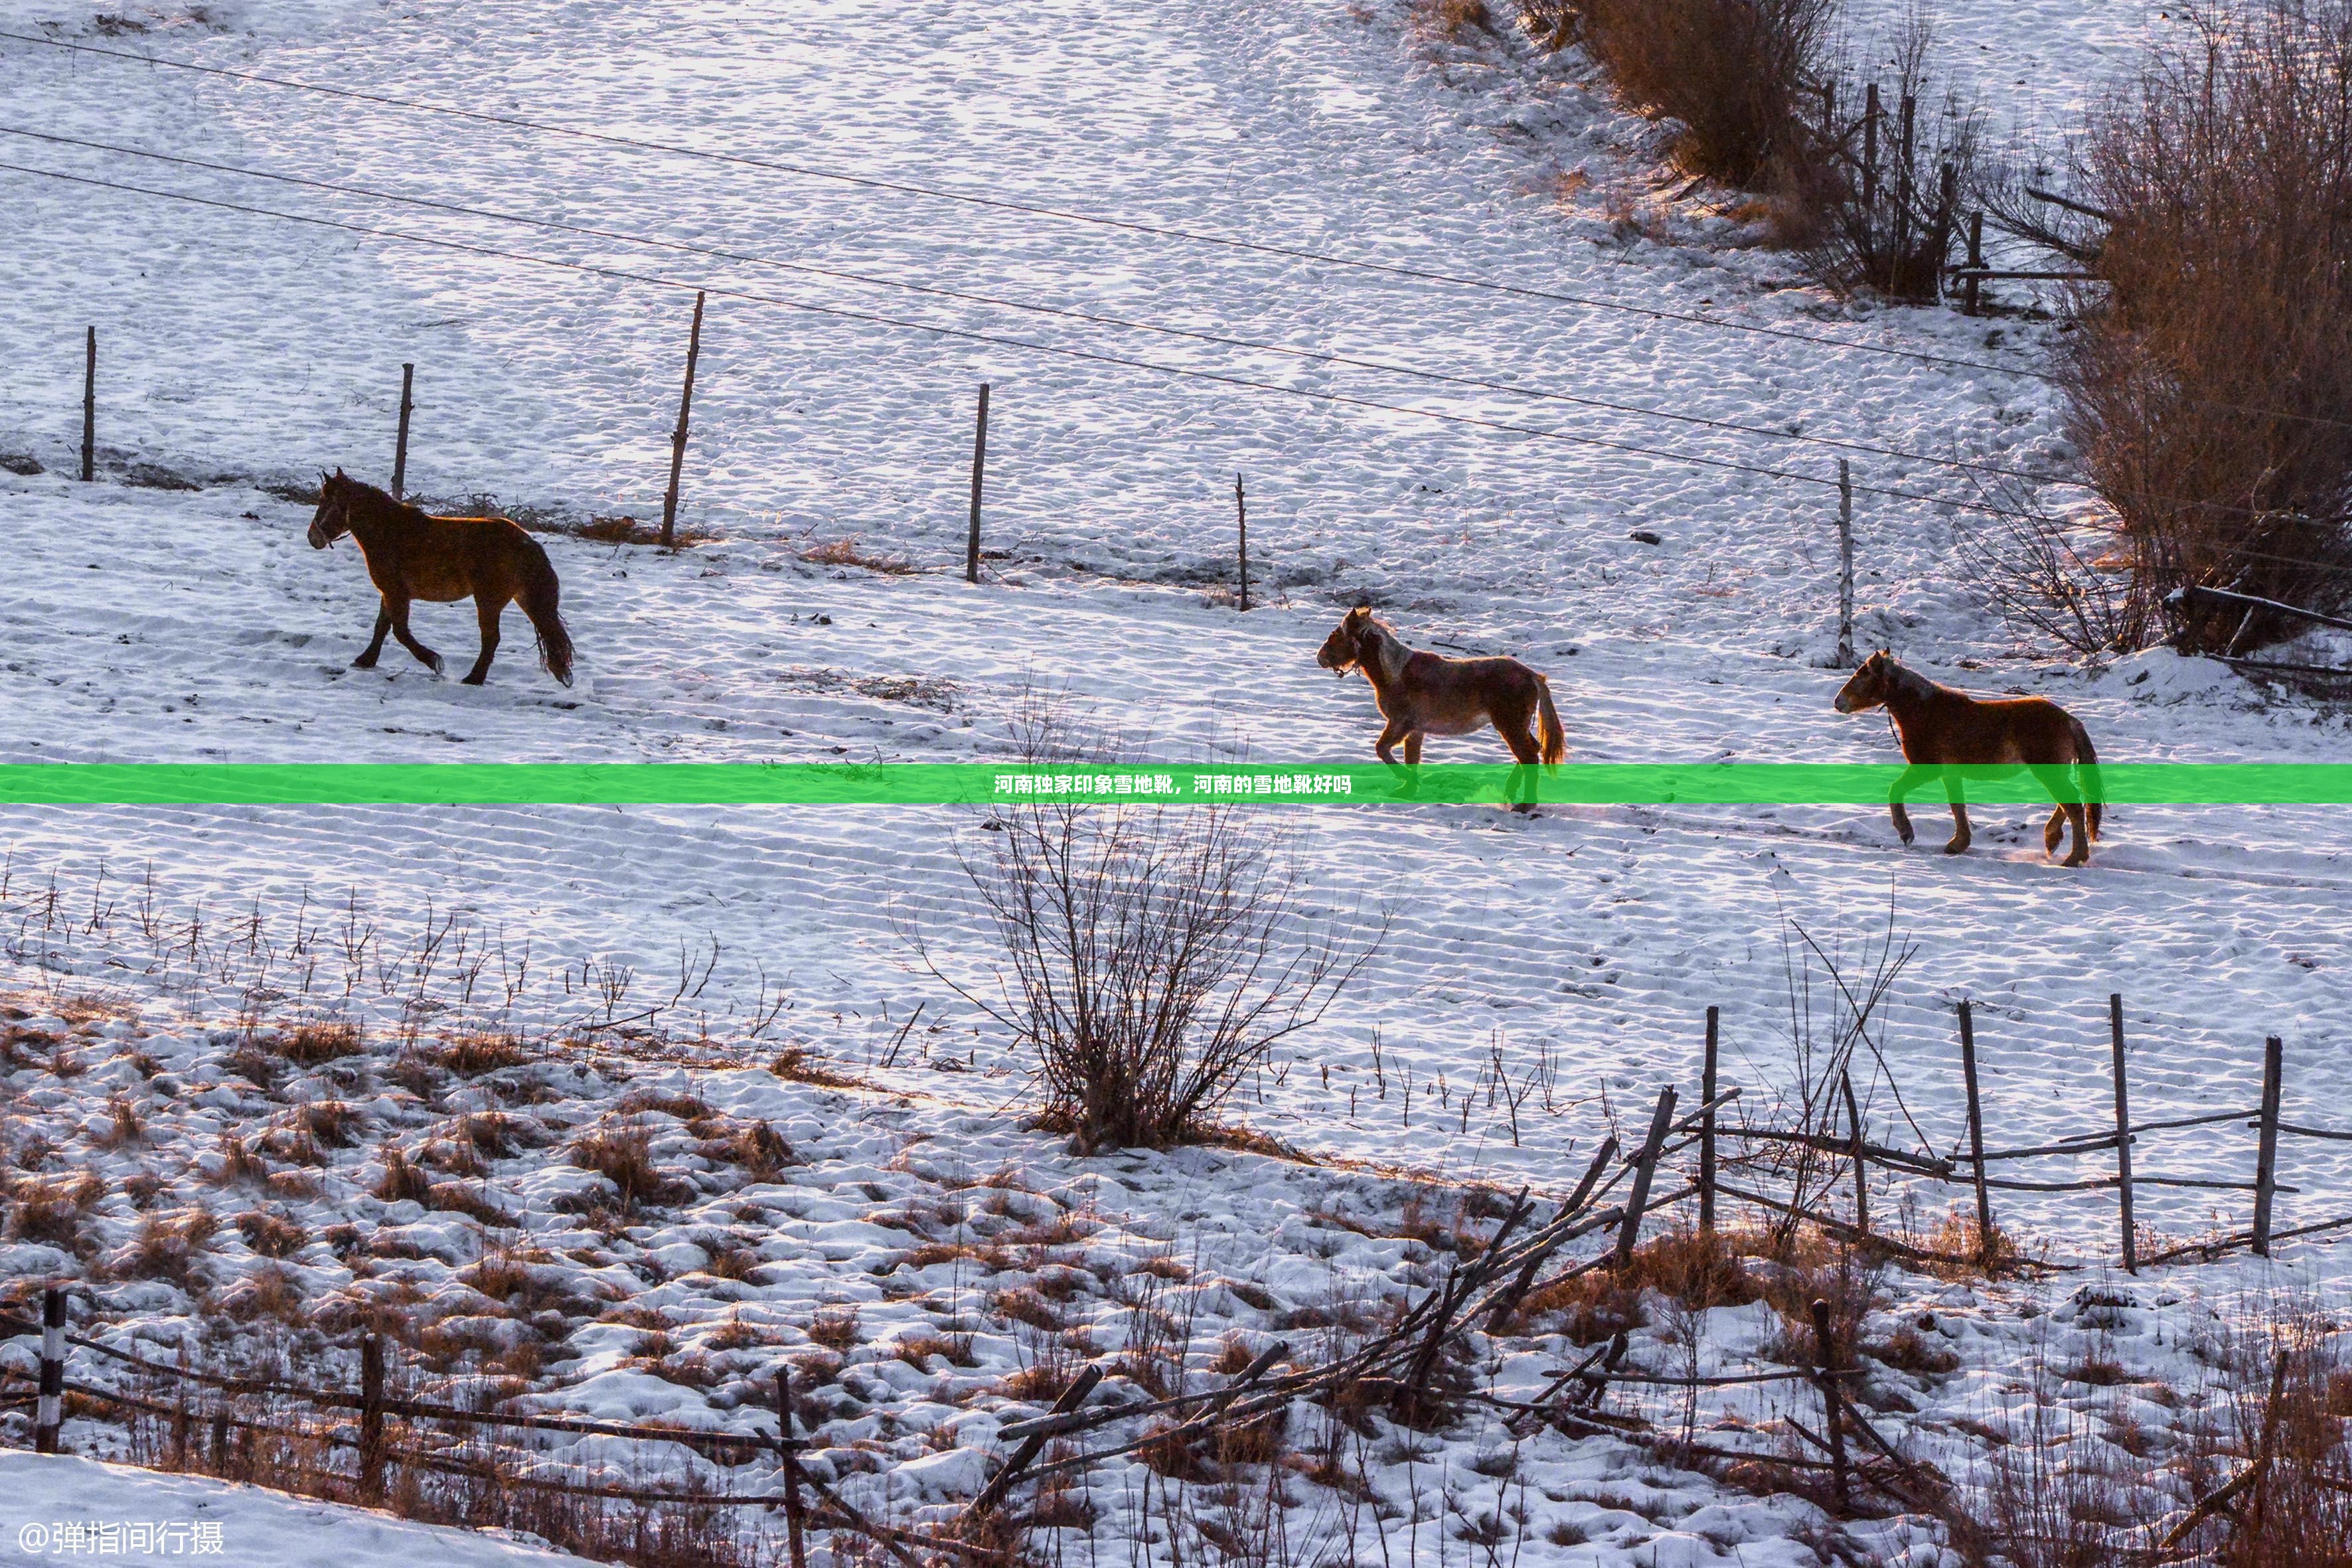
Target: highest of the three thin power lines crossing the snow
{"x":1062,"y":215}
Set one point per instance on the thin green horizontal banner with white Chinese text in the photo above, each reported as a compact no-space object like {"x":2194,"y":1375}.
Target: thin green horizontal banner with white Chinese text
{"x":930,"y":784}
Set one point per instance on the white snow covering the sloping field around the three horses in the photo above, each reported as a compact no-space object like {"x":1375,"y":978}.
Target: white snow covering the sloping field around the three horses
{"x":1577,"y":951}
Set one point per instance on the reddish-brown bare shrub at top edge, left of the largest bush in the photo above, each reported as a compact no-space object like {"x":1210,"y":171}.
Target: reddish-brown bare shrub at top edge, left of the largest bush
{"x":1732,"y":72}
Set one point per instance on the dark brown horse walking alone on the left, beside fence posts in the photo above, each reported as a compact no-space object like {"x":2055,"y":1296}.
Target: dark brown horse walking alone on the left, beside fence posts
{"x":413,"y":556}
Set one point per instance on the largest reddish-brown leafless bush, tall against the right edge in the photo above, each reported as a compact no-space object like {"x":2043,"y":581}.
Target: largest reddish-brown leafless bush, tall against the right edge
{"x":2212,"y":387}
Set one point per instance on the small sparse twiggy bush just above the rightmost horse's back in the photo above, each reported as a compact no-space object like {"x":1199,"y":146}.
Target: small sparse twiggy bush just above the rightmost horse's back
{"x":2045,"y":577}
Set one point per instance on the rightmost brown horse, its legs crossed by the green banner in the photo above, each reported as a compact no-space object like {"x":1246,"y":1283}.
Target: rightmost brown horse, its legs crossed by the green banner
{"x":1939,"y":725}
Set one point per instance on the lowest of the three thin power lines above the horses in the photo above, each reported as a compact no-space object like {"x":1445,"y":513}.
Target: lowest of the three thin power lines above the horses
{"x":1013,"y":342}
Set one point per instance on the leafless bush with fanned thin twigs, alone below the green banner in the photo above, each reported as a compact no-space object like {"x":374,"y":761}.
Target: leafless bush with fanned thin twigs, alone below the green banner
{"x":1154,"y":956}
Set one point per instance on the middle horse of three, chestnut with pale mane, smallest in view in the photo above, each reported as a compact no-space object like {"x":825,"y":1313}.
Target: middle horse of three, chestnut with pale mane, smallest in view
{"x":1429,"y":695}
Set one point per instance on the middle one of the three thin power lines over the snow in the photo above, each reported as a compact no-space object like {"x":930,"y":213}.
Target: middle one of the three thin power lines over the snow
{"x":1038,"y":309}
